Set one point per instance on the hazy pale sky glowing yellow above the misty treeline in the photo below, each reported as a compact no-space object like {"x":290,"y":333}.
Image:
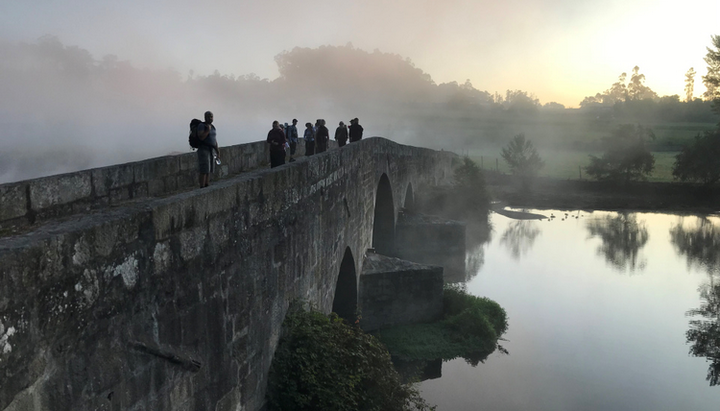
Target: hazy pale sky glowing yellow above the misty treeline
{"x":560,"y":50}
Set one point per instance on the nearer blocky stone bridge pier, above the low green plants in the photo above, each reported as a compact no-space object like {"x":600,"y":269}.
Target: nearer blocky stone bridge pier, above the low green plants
{"x":398,"y":292}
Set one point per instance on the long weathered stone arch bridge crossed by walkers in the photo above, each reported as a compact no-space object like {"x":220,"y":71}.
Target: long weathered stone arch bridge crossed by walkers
{"x":124,"y":288}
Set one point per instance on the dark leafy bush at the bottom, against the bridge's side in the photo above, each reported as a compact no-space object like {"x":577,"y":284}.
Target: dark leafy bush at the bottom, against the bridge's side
{"x":322,"y":363}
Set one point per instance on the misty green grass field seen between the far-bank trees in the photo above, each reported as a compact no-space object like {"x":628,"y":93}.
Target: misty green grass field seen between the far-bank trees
{"x":570,"y":165}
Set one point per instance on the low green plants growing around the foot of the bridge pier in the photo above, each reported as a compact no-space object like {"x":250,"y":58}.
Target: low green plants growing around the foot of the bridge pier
{"x":470,"y":329}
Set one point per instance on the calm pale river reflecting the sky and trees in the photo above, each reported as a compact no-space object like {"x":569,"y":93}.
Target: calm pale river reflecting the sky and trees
{"x":597,"y":305}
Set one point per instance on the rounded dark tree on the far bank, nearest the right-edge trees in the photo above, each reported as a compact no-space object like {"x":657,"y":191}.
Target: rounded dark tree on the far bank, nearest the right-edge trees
{"x":626,"y":157}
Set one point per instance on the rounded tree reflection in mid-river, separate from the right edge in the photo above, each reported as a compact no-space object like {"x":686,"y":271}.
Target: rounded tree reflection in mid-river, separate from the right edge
{"x":622,"y":238}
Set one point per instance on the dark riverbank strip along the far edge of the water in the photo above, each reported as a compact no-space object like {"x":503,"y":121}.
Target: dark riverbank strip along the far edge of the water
{"x":547,"y":193}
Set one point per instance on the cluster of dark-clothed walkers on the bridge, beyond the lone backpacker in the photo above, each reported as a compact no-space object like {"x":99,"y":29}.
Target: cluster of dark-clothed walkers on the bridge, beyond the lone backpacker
{"x":316,"y":138}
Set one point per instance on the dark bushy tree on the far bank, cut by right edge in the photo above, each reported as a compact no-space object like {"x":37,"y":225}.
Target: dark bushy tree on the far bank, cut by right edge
{"x":698,"y":161}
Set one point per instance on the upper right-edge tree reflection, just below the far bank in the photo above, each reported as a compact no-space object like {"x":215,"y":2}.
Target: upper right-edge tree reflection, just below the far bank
{"x":700,"y":245}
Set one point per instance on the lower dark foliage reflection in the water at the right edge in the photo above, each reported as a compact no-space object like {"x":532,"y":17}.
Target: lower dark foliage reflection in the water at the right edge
{"x":704,"y":334}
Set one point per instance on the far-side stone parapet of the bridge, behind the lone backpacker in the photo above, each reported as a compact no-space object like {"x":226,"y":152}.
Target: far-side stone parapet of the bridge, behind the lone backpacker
{"x":30,"y":201}
